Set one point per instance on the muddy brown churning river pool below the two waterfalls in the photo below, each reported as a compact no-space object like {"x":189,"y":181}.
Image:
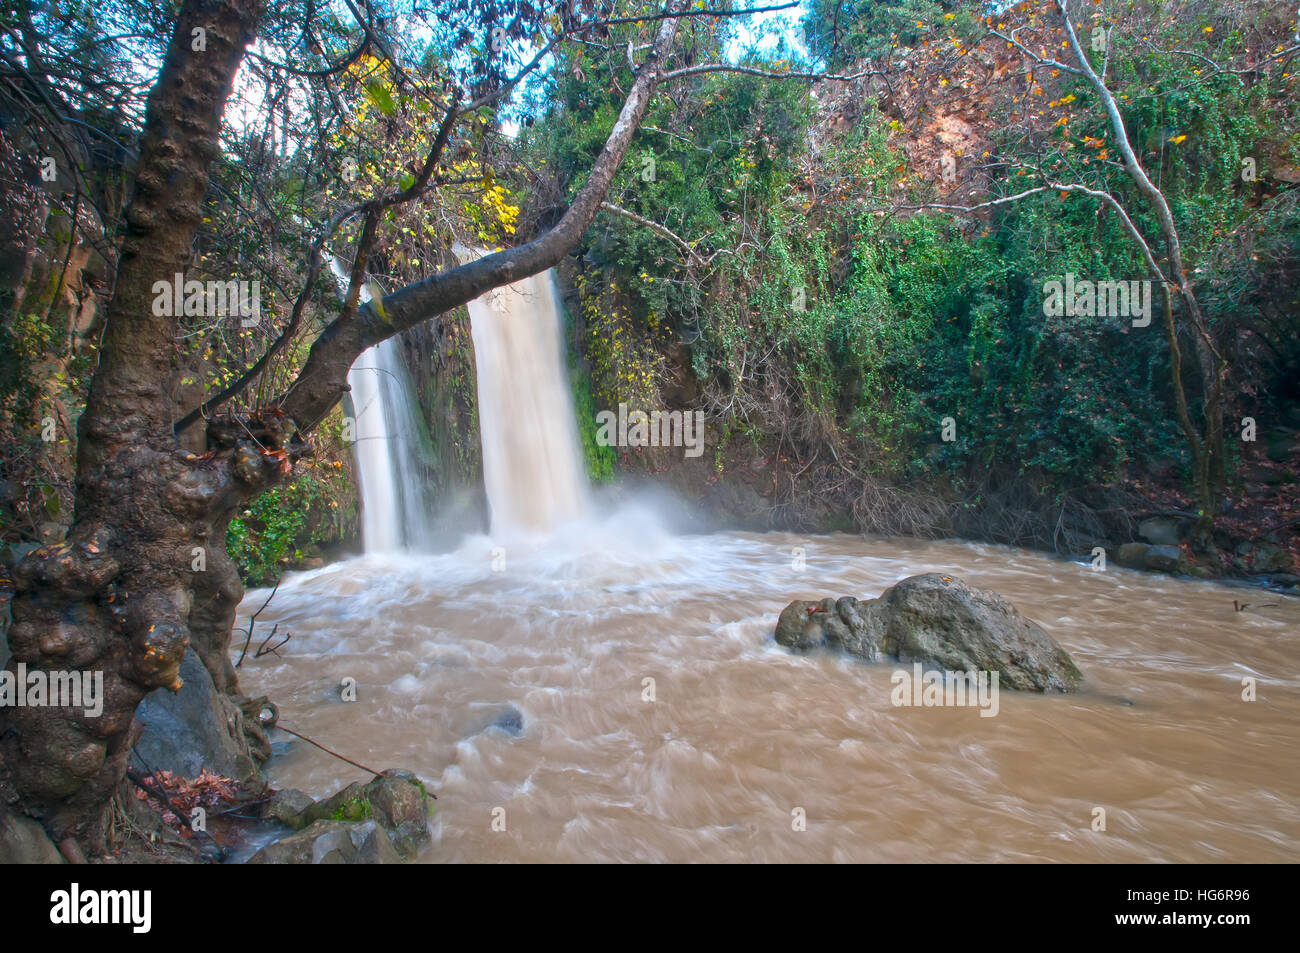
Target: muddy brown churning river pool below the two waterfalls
{"x":512,"y":674}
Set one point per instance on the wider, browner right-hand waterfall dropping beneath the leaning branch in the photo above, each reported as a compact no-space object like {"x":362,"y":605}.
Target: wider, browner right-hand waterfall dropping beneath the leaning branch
{"x":532,"y":461}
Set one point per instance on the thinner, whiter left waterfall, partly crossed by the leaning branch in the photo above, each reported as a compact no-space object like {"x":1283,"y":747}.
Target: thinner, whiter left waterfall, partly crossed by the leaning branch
{"x":392,"y":457}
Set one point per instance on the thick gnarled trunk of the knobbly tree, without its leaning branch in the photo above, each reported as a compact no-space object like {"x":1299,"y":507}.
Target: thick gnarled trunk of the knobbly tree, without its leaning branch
{"x":120,"y":596}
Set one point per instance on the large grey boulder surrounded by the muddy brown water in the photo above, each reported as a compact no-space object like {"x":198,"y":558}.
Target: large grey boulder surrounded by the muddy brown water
{"x":942,"y":623}
